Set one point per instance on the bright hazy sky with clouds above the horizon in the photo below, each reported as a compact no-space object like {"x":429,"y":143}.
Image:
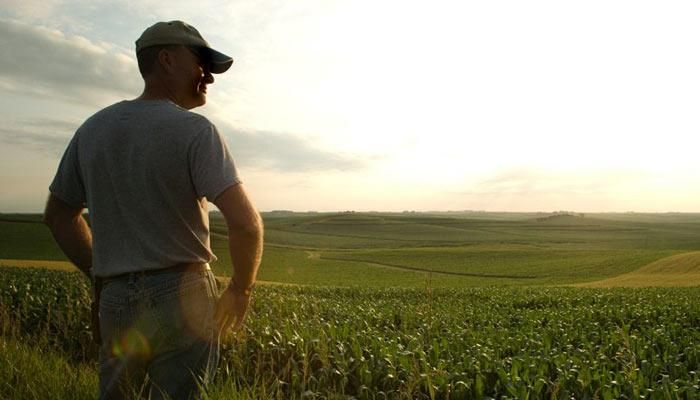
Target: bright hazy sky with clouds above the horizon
{"x":373,"y":105}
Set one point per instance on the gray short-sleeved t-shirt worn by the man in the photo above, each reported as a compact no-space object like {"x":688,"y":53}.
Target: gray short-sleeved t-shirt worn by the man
{"x":145,"y":169}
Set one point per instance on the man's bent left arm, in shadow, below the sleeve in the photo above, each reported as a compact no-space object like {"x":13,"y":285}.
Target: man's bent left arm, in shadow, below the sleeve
{"x":71,"y":232}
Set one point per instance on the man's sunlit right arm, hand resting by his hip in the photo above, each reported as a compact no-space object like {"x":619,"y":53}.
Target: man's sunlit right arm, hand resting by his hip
{"x":245,"y":241}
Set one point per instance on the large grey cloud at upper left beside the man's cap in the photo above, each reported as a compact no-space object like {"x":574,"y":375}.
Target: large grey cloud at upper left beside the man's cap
{"x":47,"y":62}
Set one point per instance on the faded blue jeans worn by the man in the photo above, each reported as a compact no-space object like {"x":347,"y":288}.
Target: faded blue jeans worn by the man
{"x":159,"y":337}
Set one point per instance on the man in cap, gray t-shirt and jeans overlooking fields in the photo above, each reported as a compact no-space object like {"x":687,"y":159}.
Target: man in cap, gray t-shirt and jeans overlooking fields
{"x":145,"y":169}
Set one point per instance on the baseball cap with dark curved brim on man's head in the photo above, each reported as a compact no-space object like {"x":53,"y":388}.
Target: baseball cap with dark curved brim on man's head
{"x":178,"y":32}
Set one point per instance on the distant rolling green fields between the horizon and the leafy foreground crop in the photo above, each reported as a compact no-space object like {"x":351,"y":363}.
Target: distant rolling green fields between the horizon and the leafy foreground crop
{"x":437,"y":249}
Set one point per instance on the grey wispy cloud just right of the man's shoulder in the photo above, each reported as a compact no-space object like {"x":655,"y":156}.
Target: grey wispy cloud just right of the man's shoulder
{"x":285,"y":152}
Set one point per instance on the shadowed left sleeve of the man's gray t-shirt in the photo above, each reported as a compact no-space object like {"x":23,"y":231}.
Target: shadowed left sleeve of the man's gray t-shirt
{"x":68,"y":183}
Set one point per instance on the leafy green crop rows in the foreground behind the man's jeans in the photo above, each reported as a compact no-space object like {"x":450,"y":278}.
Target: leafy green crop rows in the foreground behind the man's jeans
{"x":316,"y":342}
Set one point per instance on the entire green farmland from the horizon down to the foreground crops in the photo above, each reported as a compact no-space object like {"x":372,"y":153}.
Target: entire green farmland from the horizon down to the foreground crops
{"x":408,"y":305}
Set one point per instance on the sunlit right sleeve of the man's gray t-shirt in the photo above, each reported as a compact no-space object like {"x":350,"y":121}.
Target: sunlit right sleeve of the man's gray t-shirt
{"x":211,"y":164}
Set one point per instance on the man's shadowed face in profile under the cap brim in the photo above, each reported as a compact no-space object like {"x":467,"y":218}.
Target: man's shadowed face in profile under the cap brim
{"x":192,"y":76}
